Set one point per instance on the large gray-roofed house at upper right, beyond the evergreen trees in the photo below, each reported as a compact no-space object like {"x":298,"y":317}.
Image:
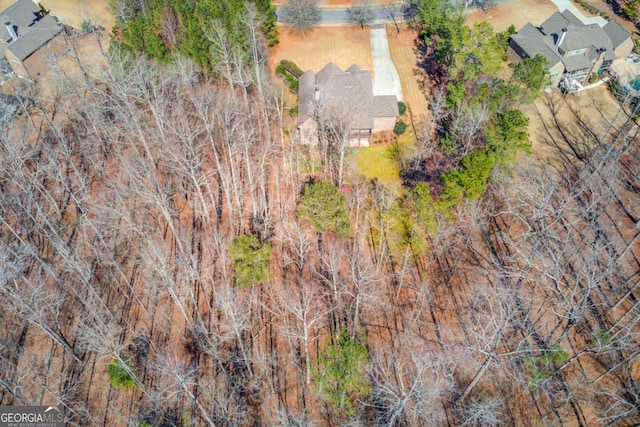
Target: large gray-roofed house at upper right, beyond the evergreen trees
{"x":575,"y":51}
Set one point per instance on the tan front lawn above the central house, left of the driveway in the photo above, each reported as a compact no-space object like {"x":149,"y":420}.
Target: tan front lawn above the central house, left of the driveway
{"x":343,"y":46}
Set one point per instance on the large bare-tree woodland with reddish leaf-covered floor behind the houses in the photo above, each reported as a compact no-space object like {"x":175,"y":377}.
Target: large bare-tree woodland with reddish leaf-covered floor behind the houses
{"x":169,"y":258}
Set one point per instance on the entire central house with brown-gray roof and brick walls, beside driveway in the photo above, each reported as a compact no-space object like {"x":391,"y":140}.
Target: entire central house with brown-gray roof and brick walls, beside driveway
{"x":345,"y":100}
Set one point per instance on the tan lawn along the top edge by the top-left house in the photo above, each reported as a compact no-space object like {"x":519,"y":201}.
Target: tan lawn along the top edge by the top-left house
{"x":73,"y":12}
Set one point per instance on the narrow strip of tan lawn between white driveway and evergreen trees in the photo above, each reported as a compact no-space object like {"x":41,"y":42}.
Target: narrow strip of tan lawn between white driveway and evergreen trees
{"x":401,"y":47}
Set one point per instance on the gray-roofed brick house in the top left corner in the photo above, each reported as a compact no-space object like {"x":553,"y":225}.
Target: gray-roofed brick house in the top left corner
{"x":30,"y":38}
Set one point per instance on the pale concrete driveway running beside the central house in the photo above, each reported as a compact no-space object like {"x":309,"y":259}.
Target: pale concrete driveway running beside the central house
{"x":386,"y":80}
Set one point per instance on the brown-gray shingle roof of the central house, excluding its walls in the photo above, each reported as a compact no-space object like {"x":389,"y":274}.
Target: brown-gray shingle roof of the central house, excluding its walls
{"x":347,"y":93}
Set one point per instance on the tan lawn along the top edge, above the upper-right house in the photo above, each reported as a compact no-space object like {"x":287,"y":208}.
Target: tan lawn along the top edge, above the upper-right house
{"x":517,"y":13}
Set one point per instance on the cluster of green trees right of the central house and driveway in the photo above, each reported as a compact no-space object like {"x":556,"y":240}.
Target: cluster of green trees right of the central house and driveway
{"x":478,"y":125}
